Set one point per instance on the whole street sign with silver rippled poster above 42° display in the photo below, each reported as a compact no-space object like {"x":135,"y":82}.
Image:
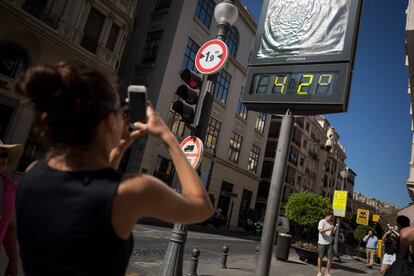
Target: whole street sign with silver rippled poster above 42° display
{"x":303,"y":57}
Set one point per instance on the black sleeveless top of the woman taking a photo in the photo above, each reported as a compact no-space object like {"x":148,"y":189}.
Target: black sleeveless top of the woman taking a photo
{"x":64,"y":223}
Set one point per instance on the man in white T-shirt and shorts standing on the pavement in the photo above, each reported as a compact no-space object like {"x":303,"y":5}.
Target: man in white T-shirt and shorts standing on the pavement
{"x":325,"y":242}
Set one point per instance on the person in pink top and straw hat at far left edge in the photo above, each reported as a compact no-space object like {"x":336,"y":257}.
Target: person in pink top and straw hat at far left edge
{"x":8,"y":154}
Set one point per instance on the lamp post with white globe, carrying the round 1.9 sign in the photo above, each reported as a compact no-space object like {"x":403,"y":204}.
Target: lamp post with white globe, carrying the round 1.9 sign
{"x":226,"y":14}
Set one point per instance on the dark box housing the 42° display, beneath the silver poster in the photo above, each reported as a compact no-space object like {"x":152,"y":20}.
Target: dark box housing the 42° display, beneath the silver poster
{"x":307,"y":88}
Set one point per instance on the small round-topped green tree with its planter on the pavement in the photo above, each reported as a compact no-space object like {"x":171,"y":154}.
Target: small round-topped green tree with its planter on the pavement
{"x":306,"y":209}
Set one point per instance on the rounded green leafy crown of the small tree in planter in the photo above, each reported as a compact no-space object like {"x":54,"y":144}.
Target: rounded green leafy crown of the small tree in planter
{"x":306,"y":208}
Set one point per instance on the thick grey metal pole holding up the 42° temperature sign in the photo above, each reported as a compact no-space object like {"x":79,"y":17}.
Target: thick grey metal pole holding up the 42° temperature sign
{"x":275,"y":196}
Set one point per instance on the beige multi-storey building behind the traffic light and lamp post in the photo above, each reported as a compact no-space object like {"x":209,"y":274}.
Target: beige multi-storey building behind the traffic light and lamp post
{"x":165,"y":40}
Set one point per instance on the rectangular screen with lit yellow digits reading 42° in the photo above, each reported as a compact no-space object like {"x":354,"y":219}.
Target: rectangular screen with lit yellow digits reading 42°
{"x":301,"y":83}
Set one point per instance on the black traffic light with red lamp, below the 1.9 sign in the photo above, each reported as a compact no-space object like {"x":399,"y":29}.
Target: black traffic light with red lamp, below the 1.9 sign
{"x":188,"y":95}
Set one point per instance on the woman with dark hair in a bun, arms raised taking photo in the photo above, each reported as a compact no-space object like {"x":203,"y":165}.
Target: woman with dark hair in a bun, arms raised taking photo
{"x":75,"y":212}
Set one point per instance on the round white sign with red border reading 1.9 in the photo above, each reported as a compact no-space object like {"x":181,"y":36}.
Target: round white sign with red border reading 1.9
{"x":211,"y":57}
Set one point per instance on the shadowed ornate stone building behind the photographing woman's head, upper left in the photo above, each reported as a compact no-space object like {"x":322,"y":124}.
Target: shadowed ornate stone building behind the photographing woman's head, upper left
{"x":44,"y":31}
